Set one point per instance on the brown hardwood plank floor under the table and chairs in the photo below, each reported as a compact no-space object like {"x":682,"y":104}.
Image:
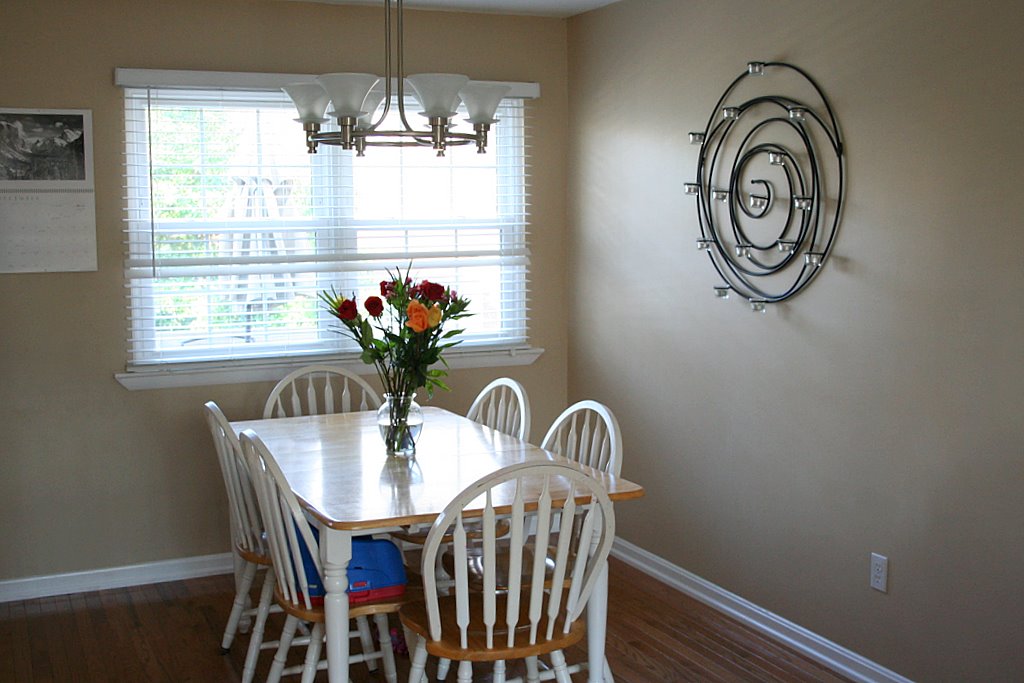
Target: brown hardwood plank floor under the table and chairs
{"x":172,"y":632}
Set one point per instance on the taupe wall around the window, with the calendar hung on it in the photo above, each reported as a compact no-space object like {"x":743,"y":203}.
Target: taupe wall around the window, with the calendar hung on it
{"x":93,"y":476}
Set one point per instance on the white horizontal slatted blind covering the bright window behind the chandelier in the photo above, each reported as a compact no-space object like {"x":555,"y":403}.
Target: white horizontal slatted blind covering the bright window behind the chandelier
{"x":233,"y":229}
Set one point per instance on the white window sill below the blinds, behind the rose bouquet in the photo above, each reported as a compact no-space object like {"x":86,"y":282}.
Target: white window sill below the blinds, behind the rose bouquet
{"x":190,"y":375}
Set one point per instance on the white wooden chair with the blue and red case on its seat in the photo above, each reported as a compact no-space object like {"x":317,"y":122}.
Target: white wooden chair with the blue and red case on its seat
{"x":286,"y":525}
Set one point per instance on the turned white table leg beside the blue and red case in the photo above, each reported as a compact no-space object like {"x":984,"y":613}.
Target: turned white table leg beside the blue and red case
{"x":336,"y":551}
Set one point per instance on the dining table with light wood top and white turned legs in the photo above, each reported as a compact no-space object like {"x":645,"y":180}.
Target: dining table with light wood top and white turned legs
{"x":340,"y":474}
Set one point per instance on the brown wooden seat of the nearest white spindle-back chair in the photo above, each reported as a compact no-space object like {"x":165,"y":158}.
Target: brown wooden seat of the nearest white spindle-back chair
{"x":414,"y":617}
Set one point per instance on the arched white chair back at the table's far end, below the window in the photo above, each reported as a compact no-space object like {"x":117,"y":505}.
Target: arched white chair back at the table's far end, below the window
{"x":320,"y":390}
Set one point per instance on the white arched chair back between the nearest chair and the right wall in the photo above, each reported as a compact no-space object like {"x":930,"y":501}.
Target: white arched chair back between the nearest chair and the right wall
{"x":588,"y":434}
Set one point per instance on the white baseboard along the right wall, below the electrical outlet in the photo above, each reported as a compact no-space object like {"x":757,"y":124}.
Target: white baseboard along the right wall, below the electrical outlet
{"x":810,"y":645}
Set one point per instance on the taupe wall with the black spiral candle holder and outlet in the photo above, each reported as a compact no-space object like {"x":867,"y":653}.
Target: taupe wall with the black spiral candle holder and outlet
{"x":881,"y":410}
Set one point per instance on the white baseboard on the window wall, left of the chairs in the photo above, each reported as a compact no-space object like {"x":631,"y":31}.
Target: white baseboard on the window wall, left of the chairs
{"x":98,"y":580}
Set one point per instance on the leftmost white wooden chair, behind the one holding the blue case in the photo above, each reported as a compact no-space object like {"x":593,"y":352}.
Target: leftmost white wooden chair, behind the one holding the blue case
{"x":248,"y":541}
